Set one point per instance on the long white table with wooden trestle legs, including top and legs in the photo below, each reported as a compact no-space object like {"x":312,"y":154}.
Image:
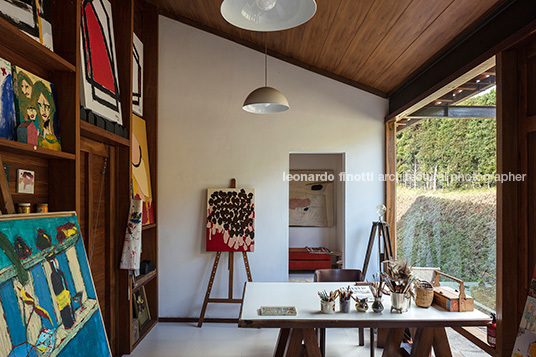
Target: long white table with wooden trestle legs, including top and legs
{"x":429,"y":323}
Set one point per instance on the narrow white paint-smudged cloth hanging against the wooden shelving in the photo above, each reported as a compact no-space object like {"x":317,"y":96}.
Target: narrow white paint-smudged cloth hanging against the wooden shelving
{"x":130,"y":257}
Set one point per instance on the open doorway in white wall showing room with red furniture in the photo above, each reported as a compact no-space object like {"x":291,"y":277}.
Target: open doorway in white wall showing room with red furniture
{"x":316,"y":213}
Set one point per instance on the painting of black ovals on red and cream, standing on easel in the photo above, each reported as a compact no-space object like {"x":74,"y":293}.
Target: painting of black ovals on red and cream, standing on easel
{"x":230,"y":220}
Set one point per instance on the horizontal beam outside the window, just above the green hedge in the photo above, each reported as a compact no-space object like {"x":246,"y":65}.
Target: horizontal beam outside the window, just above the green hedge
{"x":458,"y":112}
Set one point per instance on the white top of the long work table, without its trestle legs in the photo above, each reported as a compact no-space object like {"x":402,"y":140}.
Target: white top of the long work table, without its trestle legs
{"x":304,"y":297}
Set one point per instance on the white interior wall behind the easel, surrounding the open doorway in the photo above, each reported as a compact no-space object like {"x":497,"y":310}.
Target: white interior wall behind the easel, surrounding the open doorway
{"x":205,"y":139}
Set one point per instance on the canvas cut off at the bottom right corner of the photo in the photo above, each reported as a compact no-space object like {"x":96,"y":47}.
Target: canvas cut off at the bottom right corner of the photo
{"x":525,"y":345}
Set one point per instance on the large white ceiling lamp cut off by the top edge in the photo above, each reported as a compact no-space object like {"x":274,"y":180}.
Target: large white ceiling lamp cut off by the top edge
{"x":267,"y":15}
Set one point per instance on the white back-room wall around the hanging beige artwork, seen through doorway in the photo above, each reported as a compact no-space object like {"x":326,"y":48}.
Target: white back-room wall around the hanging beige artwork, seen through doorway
{"x":329,"y":237}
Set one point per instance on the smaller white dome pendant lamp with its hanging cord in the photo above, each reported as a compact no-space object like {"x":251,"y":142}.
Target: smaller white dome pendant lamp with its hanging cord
{"x":265,"y":100}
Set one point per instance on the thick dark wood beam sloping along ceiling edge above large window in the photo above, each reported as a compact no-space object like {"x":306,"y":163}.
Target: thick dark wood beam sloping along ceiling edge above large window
{"x":501,"y":29}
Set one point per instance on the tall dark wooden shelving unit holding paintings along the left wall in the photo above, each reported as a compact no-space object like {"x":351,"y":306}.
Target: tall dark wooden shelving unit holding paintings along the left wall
{"x":69,"y":180}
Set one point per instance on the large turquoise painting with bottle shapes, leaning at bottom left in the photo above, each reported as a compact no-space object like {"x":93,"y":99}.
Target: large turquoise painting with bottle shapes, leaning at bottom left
{"x":48,"y":304}
